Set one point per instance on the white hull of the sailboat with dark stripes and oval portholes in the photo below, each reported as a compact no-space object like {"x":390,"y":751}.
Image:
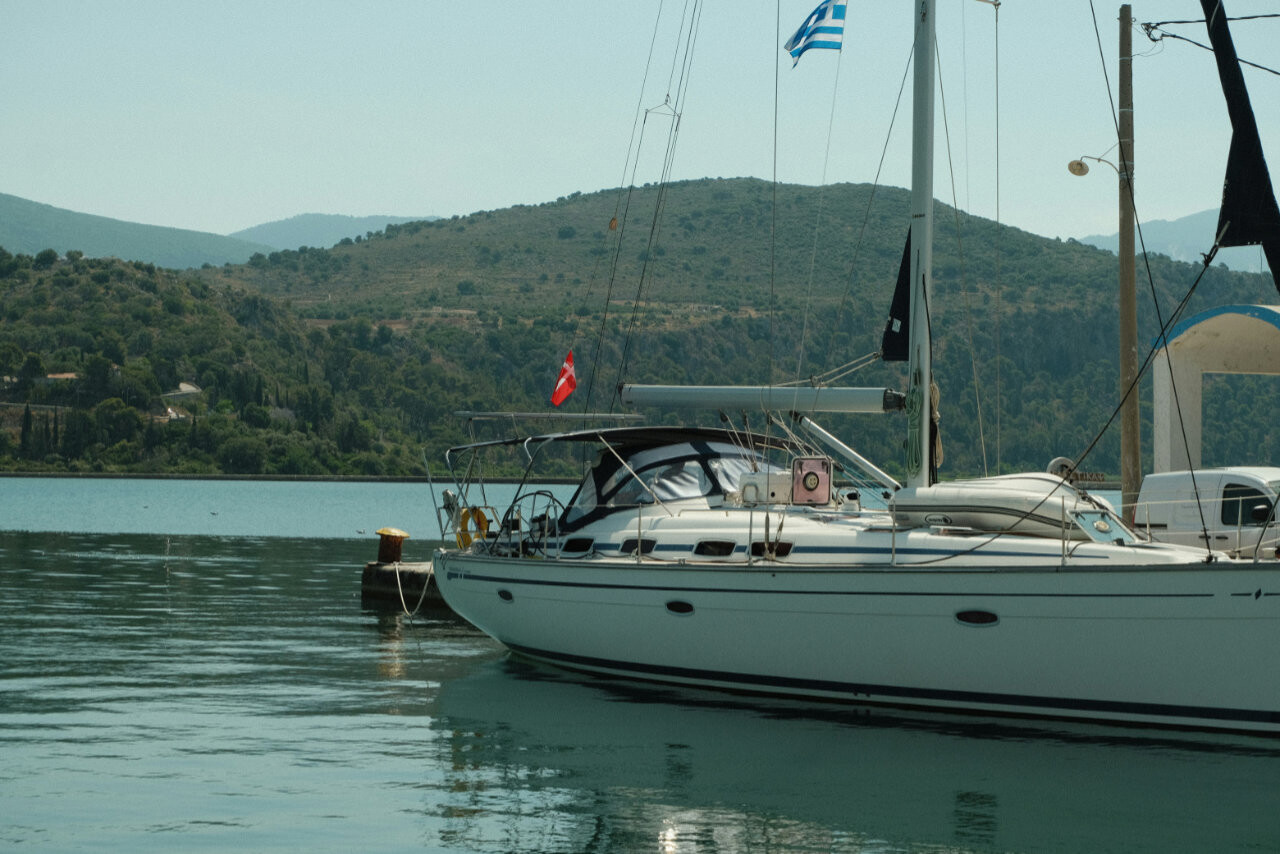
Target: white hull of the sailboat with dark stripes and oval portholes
{"x":1186,"y":646}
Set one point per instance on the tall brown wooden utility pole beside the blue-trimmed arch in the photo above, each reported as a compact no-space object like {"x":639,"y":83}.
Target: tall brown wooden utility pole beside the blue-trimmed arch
{"x":1131,"y":441}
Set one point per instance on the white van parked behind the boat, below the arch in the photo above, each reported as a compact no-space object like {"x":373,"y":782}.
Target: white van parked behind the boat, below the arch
{"x":1235,"y":505}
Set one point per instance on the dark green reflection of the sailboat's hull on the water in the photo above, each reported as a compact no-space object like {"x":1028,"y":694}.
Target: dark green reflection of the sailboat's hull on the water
{"x":614,"y":765}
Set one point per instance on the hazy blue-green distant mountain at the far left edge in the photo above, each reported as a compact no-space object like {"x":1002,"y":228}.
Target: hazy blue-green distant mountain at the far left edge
{"x":29,"y":227}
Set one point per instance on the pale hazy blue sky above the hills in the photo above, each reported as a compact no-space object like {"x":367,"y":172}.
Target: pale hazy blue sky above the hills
{"x":227,"y":115}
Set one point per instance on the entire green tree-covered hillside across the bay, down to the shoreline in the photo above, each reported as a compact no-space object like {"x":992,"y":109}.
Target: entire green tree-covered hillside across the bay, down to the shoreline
{"x":353,"y":360}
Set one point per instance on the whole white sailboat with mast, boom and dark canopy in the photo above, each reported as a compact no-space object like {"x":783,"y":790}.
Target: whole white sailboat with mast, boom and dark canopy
{"x":734,"y":561}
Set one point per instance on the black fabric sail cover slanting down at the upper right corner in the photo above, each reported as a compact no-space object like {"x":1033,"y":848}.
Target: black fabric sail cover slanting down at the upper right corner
{"x":1250,"y":216}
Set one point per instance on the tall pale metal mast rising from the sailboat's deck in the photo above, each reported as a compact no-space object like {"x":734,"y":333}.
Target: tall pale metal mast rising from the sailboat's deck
{"x":920,"y":442}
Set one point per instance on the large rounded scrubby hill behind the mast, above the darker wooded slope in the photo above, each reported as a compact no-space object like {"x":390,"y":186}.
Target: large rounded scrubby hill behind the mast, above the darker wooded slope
{"x":1041,"y":312}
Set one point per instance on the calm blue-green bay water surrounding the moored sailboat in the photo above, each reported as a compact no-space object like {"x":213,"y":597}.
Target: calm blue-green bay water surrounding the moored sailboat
{"x":188,"y":688}
